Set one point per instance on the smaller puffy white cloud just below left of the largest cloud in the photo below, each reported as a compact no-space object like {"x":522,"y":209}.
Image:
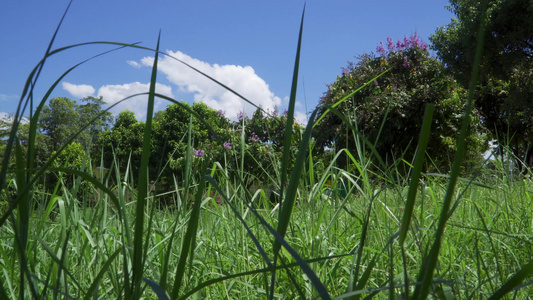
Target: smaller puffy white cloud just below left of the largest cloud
{"x":138,"y":104}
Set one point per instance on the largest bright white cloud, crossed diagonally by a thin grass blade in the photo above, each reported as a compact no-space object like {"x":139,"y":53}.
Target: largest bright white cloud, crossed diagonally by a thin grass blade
{"x":242,"y":80}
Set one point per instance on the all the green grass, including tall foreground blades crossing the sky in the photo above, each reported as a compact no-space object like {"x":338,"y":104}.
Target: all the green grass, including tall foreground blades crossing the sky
{"x":338,"y":233}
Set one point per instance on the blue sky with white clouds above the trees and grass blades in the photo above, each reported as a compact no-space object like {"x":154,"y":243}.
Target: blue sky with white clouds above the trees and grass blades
{"x":249,"y":46}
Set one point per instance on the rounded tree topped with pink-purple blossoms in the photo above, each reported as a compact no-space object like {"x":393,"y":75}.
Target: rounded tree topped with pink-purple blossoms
{"x":389,"y":112}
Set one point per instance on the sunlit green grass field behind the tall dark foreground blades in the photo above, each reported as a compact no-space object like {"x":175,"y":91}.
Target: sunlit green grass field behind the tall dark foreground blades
{"x":487,"y":240}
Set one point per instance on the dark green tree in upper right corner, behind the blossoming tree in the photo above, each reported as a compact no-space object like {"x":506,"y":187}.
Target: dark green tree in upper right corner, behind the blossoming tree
{"x":505,"y":88}
